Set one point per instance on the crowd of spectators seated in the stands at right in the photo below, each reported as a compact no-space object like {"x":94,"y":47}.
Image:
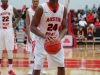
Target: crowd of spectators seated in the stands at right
{"x":85,"y":19}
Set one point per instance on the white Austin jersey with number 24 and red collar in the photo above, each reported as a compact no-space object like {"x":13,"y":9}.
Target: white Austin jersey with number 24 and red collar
{"x":50,"y":21}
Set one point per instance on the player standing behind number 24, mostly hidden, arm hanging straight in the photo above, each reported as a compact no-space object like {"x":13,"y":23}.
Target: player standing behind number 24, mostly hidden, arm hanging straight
{"x":31,"y":42}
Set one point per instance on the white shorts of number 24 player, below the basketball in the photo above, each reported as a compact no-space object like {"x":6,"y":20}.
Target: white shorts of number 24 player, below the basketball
{"x":40,"y":54}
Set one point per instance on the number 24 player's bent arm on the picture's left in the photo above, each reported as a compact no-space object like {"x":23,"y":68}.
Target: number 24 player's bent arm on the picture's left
{"x":35,"y":22}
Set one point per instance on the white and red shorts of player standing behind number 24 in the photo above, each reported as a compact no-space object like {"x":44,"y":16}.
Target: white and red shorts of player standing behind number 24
{"x":30,"y":46}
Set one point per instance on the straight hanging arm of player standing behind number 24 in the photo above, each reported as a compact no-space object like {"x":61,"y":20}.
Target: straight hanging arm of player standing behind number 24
{"x":28,"y":26}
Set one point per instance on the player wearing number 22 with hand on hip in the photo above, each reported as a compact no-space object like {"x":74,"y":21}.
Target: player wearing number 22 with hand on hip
{"x":6,"y":31}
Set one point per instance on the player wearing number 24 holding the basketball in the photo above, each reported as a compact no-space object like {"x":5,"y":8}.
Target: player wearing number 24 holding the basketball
{"x":51,"y":16}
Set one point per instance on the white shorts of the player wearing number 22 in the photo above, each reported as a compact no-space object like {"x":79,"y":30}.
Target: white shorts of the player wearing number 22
{"x":7,"y":39}
